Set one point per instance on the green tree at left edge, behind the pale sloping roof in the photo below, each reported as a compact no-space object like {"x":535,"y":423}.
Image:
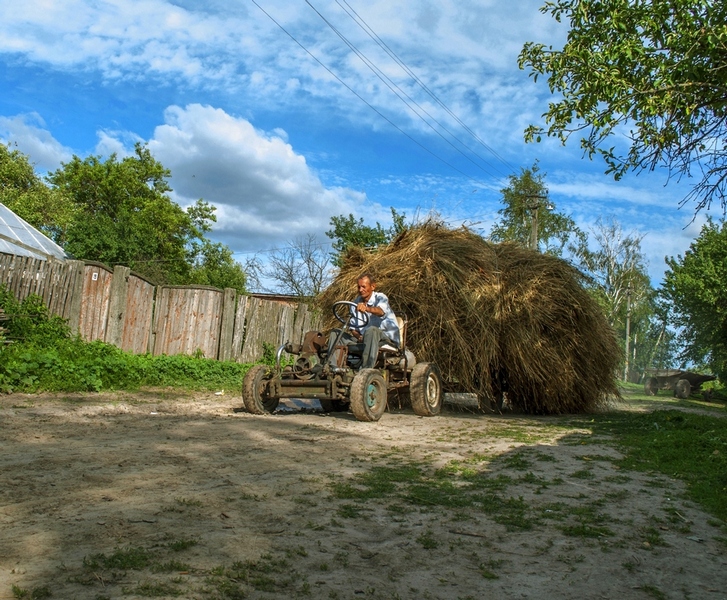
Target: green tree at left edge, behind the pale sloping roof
{"x":27,"y":195}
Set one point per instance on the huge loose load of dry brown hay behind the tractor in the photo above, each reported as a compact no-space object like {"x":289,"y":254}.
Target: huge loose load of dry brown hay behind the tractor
{"x":494,"y":317}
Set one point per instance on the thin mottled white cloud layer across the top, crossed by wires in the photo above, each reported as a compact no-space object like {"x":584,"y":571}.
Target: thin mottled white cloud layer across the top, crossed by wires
{"x":464,"y":51}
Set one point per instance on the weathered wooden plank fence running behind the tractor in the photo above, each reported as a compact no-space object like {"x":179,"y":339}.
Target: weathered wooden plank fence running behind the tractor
{"x":124,"y":309}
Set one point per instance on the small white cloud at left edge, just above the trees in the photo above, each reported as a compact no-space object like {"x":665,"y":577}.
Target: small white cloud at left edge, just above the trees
{"x":28,"y":132}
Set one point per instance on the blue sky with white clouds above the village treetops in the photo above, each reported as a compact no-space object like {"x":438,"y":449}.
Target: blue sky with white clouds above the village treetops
{"x":282,"y":126}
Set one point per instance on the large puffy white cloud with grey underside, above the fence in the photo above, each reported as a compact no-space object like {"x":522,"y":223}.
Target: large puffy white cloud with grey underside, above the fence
{"x":265,"y":192}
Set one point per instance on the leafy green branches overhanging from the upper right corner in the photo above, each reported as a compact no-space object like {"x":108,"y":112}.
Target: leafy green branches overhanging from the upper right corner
{"x":652,"y":70}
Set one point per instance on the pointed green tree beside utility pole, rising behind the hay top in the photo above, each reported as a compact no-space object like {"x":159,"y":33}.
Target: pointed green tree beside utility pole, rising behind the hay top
{"x":529,"y":217}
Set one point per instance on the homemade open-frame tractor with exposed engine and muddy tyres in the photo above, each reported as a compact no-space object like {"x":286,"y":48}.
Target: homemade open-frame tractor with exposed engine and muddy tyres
{"x":337,"y":380}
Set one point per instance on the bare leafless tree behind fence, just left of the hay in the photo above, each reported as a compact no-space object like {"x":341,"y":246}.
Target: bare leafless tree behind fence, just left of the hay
{"x":302,"y":268}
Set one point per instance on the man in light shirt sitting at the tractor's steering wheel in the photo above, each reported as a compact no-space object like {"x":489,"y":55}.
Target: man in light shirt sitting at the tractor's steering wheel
{"x":380,"y":329}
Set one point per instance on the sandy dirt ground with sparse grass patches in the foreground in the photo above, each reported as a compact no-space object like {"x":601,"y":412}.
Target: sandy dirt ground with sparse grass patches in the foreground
{"x":158,"y":495}
